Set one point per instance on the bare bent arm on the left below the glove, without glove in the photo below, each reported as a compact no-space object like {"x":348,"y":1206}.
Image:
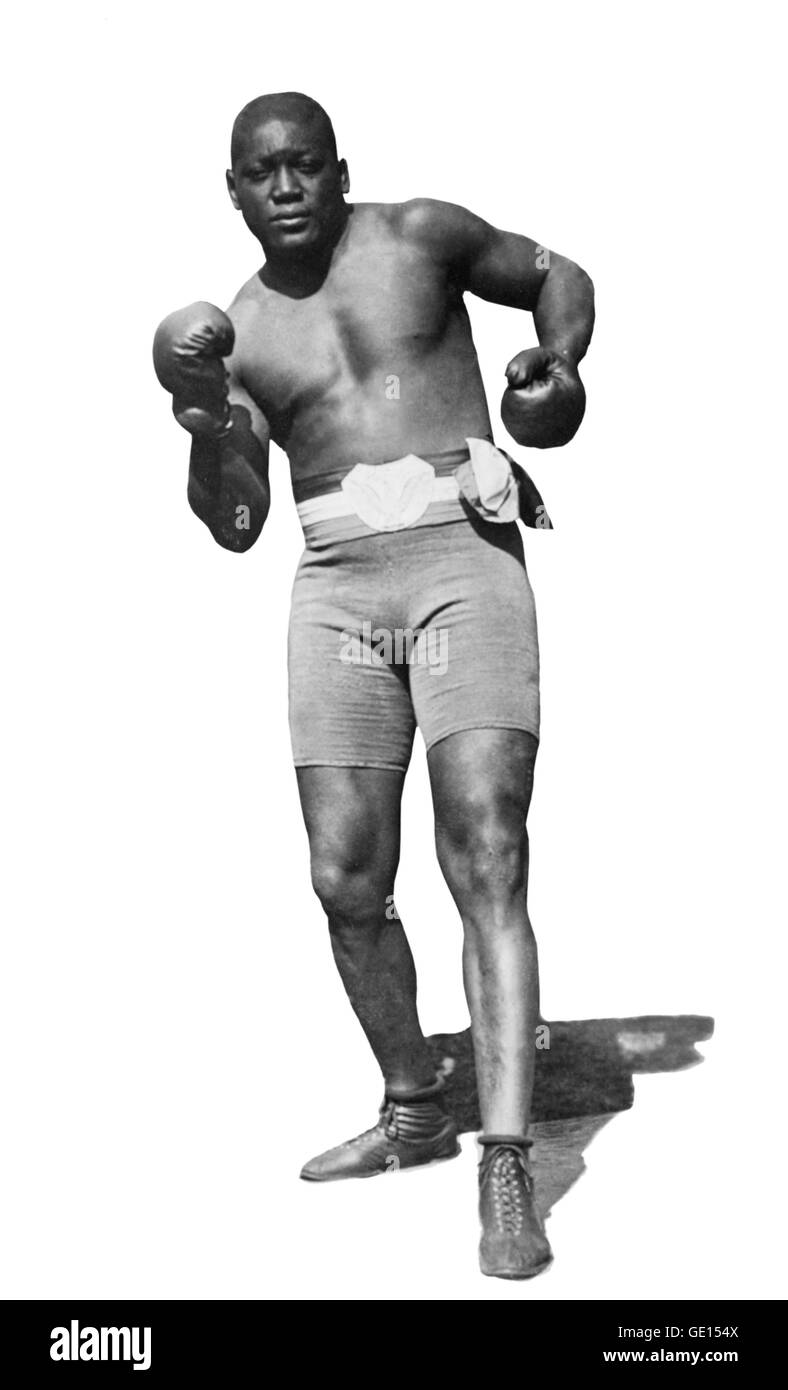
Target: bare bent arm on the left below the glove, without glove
{"x":229,"y":479}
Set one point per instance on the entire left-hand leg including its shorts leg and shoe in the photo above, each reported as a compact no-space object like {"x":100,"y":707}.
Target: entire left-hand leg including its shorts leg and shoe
{"x":352,"y":728}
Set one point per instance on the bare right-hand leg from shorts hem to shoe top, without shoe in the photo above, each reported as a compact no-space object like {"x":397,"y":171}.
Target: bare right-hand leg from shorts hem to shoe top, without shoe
{"x":482,"y":787}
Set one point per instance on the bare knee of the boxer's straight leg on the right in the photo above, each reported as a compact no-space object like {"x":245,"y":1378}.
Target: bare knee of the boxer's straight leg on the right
{"x":487,"y":862}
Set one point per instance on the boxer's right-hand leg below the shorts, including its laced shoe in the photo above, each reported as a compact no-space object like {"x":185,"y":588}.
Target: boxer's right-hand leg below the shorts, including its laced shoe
{"x":483,"y":783}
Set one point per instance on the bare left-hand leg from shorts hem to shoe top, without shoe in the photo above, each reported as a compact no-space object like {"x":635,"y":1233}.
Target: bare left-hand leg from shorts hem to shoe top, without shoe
{"x":352,"y":818}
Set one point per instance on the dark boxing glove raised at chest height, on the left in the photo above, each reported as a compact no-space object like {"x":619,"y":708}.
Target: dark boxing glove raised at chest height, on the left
{"x":188,"y":352}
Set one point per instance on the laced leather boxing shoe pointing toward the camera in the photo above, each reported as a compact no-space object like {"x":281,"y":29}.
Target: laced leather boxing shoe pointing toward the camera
{"x":514,"y":1242}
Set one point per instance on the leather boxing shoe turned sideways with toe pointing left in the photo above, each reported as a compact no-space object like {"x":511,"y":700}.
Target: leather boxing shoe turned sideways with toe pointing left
{"x":413,"y":1129}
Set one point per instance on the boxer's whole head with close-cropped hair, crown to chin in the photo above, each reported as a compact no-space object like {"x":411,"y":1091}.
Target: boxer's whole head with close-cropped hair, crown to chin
{"x":286,"y":177}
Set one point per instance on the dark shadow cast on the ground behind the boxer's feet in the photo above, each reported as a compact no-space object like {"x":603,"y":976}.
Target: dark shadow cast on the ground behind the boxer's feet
{"x":583,"y":1079}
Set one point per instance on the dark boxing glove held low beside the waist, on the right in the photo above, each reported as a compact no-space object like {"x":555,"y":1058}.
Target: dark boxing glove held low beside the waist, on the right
{"x":545,"y":400}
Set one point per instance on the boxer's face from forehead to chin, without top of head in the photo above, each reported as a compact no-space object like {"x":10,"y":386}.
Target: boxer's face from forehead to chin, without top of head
{"x":288,"y":186}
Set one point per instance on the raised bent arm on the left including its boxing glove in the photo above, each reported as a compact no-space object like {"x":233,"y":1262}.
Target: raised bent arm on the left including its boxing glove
{"x":229,"y":473}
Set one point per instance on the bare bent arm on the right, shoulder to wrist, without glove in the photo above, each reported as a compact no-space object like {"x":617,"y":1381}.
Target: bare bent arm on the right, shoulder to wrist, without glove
{"x":508,"y":269}
